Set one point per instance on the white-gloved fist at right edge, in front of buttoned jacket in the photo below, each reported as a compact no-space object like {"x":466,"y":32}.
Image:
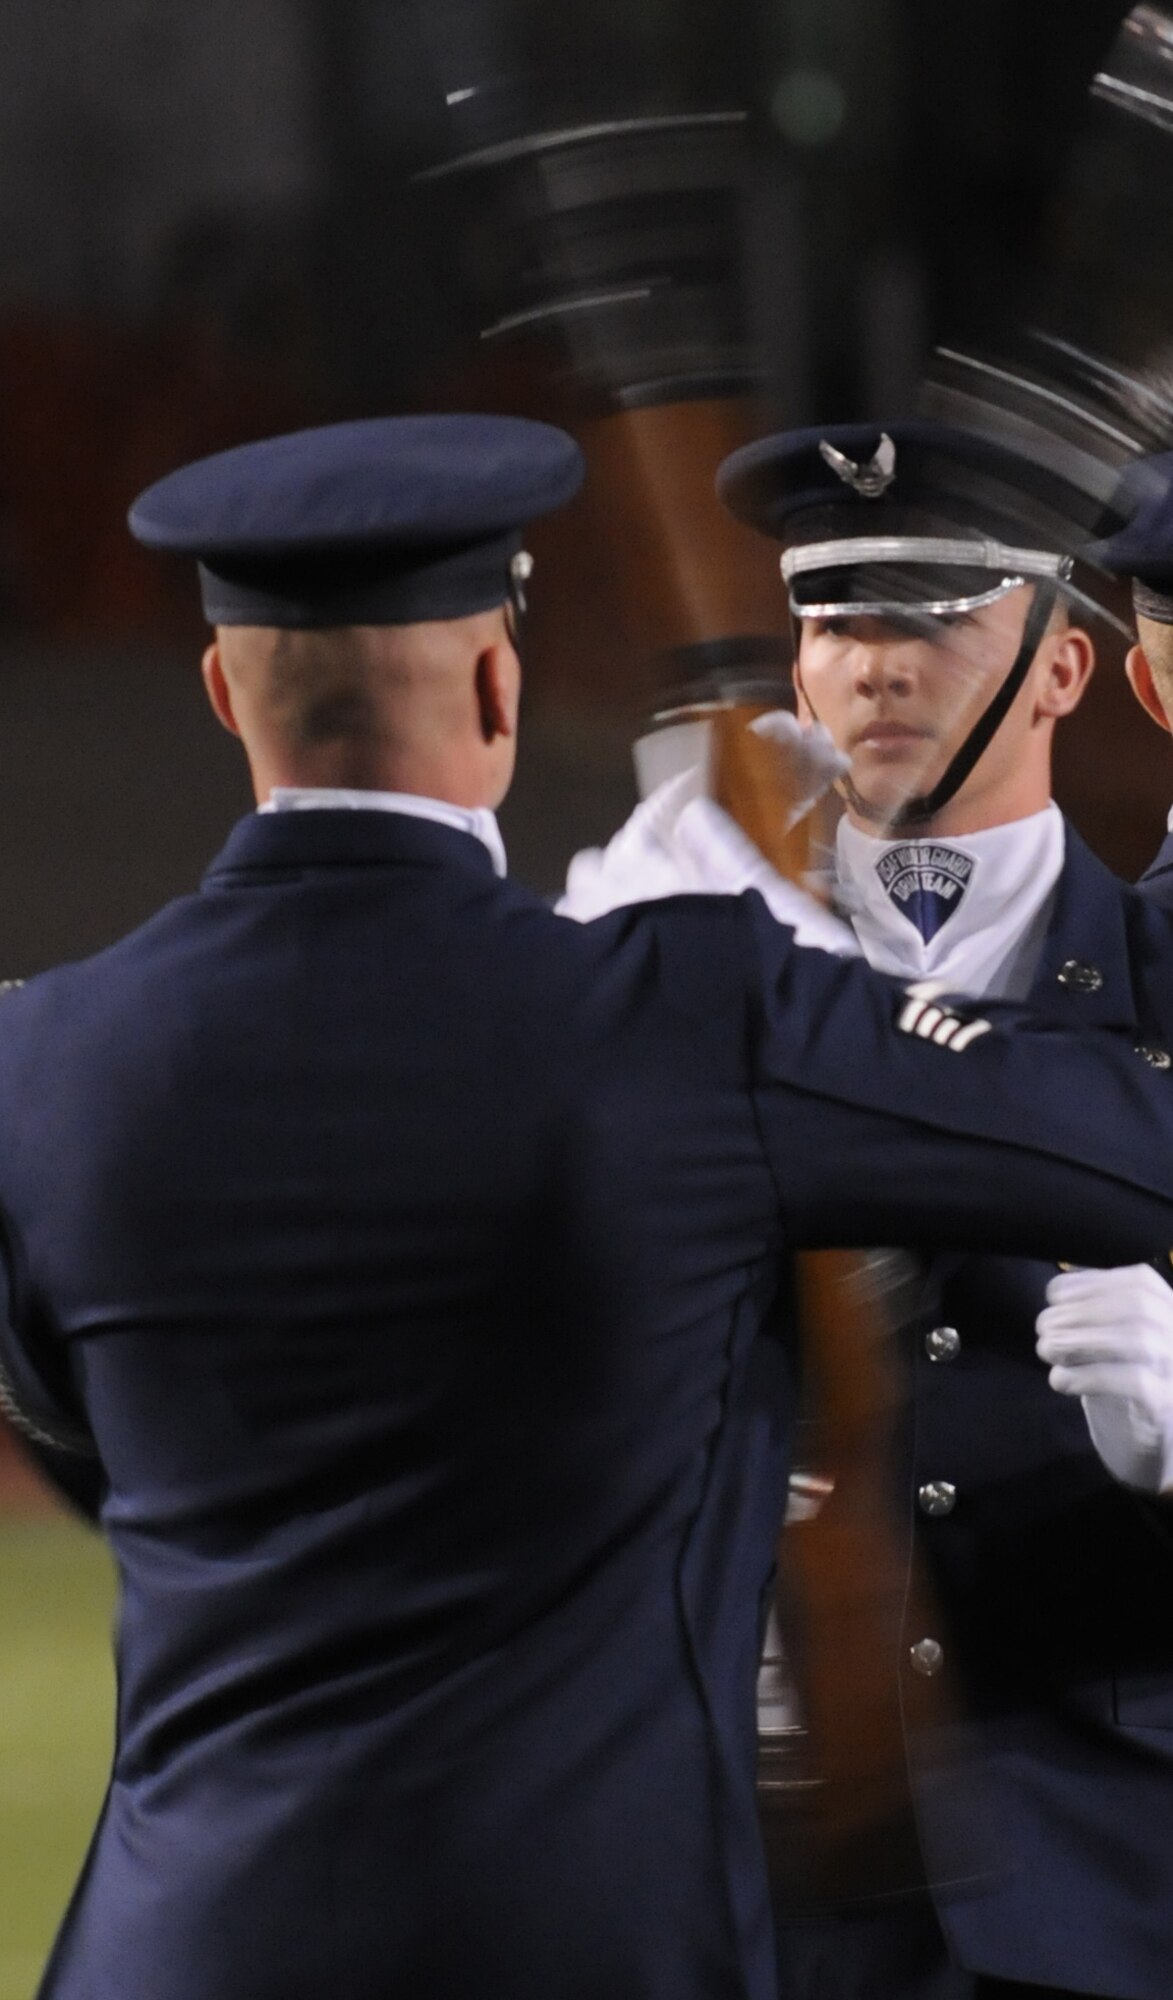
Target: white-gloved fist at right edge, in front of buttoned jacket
{"x":1108,"y":1337}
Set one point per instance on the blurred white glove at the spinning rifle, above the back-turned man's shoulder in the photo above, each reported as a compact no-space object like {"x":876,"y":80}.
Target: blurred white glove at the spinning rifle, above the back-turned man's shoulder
{"x":686,"y":845}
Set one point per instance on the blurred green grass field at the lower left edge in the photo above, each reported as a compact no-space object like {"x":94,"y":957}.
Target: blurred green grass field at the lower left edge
{"x":57,"y":1705}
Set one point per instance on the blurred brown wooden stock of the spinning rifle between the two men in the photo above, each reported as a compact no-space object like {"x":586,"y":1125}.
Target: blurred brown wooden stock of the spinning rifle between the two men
{"x":848,"y":1579}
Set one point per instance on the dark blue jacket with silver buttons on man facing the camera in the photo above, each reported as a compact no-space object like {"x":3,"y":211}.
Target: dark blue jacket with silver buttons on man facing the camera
{"x":1048,"y":1817}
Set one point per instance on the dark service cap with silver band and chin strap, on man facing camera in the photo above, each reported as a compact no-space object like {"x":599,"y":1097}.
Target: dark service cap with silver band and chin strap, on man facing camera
{"x":916,"y":521}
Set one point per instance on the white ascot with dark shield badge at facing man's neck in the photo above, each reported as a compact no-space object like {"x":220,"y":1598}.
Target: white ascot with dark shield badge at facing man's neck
{"x":970,"y":911}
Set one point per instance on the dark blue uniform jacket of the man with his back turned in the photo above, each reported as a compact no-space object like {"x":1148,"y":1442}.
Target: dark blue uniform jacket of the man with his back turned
{"x":413,"y":1257}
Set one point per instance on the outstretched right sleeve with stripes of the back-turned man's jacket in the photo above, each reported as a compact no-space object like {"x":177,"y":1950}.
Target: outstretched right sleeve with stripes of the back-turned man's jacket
{"x":1034,"y":1139}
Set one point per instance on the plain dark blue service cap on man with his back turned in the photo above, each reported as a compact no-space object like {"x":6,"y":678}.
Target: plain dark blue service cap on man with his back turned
{"x":387,"y":521}
